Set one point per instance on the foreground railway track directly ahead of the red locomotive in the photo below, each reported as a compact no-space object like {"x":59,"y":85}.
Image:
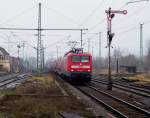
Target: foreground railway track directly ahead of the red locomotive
{"x":117,"y":106}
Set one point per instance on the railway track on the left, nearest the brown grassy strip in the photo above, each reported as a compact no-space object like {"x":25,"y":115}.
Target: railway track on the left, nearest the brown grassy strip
{"x":12,"y":79}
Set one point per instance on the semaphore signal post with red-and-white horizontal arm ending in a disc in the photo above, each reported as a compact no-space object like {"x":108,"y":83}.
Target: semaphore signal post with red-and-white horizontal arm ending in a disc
{"x":110,"y":15}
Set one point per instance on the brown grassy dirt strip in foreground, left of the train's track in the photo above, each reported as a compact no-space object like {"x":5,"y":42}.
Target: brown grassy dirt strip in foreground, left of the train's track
{"x":40,"y":97}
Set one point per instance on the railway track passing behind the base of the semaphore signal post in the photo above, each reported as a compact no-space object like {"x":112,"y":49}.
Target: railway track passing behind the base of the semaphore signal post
{"x":128,"y":88}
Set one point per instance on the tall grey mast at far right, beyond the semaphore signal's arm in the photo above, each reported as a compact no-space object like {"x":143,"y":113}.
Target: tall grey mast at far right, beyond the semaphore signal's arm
{"x":141,"y":47}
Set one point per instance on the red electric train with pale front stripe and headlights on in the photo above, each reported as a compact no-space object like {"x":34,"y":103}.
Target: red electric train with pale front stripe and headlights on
{"x":76,"y":65}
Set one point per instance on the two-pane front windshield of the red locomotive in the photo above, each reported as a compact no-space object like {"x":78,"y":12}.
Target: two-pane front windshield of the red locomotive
{"x":80,"y":58}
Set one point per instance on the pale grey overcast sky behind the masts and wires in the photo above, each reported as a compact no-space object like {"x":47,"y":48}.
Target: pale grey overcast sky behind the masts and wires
{"x":88,"y":14}
